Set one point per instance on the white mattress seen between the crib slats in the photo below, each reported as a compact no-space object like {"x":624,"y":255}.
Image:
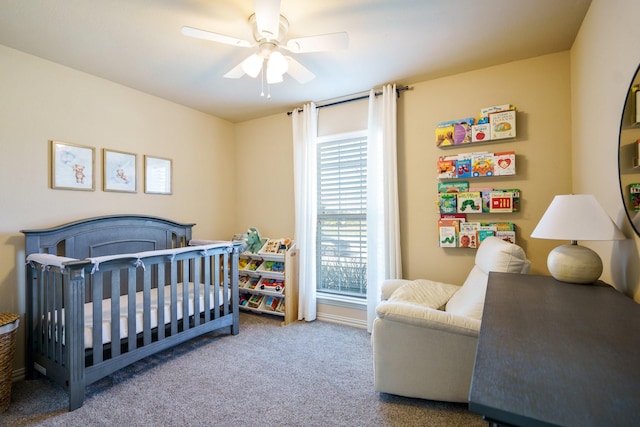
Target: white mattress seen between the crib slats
{"x":139,"y":322}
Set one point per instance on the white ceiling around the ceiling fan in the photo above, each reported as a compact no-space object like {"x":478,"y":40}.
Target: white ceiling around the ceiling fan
{"x":138,"y":43}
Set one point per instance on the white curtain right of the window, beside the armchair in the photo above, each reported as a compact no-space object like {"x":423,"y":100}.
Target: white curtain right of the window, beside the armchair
{"x":383,"y":224}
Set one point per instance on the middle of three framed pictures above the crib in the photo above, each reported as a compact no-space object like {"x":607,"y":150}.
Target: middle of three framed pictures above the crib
{"x":119,"y":171}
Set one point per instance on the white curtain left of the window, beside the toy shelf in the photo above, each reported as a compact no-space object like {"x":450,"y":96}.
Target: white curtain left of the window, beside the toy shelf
{"x":304,"y":174}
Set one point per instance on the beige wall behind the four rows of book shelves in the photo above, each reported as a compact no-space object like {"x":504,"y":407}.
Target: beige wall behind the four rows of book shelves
{"x":539,"y":89}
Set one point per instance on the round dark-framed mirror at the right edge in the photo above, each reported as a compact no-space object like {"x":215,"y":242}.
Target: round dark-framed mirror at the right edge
{"x":629,"y":151}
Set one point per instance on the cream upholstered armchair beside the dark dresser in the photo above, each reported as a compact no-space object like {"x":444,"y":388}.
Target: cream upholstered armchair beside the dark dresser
{"x":425,"y":334}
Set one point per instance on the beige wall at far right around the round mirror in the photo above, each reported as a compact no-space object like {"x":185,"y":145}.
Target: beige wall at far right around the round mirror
{"x":604,"y":59}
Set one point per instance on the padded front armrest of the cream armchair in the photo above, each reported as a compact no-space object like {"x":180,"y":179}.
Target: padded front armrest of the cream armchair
{"x":418,"y":315}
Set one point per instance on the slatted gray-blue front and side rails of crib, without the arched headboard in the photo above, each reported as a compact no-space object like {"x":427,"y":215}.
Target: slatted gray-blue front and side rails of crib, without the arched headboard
{"x":156,"y":300}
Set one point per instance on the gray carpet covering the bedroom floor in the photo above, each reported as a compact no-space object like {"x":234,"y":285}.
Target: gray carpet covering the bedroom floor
{"x":303,"y":374}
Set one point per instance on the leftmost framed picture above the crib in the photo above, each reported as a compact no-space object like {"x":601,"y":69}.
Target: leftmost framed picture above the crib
{"x":72,"y":166}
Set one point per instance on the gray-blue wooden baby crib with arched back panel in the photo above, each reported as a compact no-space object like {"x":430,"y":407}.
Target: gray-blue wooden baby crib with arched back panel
{"x":103,"y":293}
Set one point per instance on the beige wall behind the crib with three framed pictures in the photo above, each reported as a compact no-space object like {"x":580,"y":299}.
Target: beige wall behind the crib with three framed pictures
{"x":40,"y":101}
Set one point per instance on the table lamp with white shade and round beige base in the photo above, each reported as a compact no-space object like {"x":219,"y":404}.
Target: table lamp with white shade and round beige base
{"x":575,"y":217}
